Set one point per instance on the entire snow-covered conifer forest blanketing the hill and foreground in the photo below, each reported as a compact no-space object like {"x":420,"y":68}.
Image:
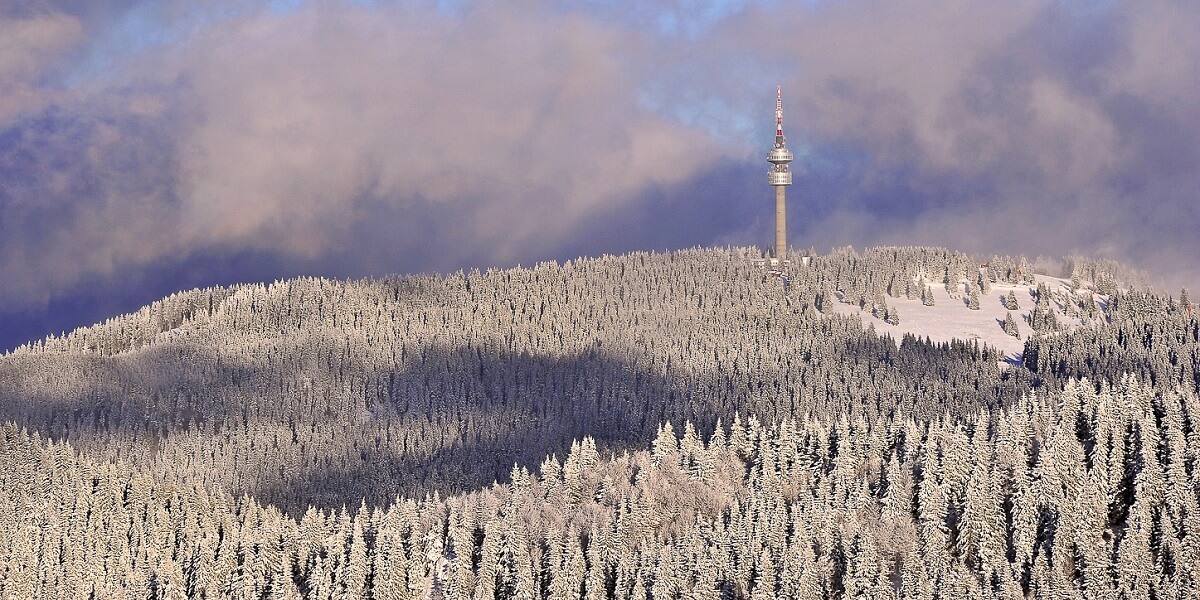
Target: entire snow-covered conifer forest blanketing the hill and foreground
{"x":682,"y":425}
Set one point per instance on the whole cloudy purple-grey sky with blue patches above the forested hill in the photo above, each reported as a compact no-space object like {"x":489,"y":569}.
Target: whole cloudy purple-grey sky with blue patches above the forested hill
{"x":149,"y":147}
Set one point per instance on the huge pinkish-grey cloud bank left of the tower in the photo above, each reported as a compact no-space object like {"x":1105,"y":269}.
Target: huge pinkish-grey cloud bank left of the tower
{"x":285,"y":134}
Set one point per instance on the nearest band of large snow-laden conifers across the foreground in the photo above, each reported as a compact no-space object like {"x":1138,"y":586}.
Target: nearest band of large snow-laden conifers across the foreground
{"x":1083,"y":494}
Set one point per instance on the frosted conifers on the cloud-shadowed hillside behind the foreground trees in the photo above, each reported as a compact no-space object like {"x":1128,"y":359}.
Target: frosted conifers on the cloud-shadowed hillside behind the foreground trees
{"x":316,"y":392}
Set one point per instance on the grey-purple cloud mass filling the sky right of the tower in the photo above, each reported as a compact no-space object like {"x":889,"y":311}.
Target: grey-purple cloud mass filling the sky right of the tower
{"x":1029,"y":127}
